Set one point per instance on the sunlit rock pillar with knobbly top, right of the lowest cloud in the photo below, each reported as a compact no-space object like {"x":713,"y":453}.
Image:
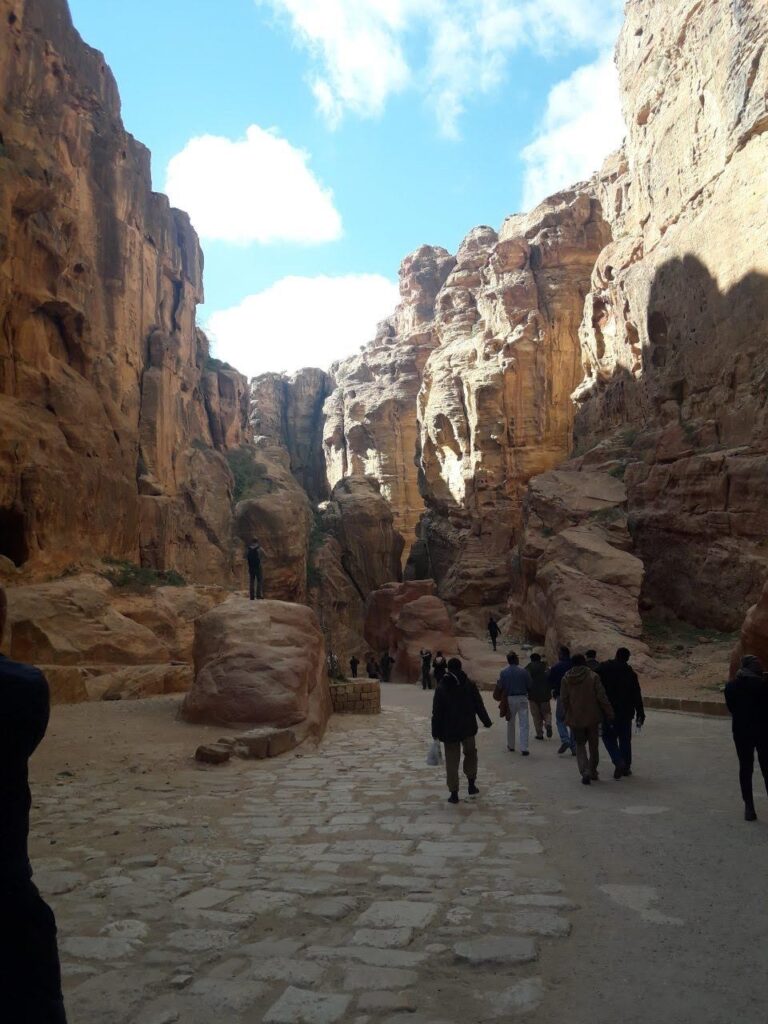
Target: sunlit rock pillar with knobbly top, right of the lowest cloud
{"x":370,"y":418}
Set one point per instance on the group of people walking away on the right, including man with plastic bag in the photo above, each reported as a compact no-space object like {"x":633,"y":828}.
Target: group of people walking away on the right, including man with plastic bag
{"x":593,"y":699}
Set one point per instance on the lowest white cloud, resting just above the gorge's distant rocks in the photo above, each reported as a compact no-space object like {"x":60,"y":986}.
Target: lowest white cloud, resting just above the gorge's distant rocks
{"x":303,"y":322}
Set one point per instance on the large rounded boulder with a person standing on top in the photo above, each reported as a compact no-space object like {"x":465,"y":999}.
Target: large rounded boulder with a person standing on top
{"x":260,"y":664}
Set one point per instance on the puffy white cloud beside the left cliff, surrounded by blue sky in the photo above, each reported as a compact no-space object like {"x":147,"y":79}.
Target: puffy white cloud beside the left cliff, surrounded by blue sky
{"x":258,"y":189}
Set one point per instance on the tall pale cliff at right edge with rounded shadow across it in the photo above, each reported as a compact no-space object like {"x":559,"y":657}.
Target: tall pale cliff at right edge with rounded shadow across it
{"x":675,"y":327}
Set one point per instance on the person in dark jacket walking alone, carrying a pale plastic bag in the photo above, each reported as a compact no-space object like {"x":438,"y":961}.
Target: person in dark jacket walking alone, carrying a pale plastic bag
{"x":456,"y":708}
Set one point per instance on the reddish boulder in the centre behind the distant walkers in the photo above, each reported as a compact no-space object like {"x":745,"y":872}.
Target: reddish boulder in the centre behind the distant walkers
{"x":403,"y":619}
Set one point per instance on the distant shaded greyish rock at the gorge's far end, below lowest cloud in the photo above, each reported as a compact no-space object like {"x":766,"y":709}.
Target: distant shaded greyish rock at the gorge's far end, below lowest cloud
{"x":289,"y":410}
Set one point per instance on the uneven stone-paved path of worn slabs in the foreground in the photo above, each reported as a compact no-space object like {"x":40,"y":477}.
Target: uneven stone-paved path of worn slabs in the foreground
{"x":333,"y":886}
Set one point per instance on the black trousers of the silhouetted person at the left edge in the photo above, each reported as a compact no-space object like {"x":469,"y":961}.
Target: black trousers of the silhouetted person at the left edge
{"x":30,"y":975}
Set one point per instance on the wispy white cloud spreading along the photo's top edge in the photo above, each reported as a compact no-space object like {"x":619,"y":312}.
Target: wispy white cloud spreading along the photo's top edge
{"x":366,"y":51}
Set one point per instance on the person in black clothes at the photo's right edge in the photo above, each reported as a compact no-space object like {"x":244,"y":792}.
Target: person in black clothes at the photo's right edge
{"x":747,"y":698}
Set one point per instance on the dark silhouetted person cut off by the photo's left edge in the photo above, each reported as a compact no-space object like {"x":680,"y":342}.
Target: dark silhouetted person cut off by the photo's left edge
{"x":30,"y":973}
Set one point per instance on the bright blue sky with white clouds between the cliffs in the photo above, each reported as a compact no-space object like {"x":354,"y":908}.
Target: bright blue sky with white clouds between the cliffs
{"x":375,"y":126}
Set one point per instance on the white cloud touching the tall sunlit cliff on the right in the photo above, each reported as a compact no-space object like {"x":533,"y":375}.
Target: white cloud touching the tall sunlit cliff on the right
{"x":582,"y":125}
